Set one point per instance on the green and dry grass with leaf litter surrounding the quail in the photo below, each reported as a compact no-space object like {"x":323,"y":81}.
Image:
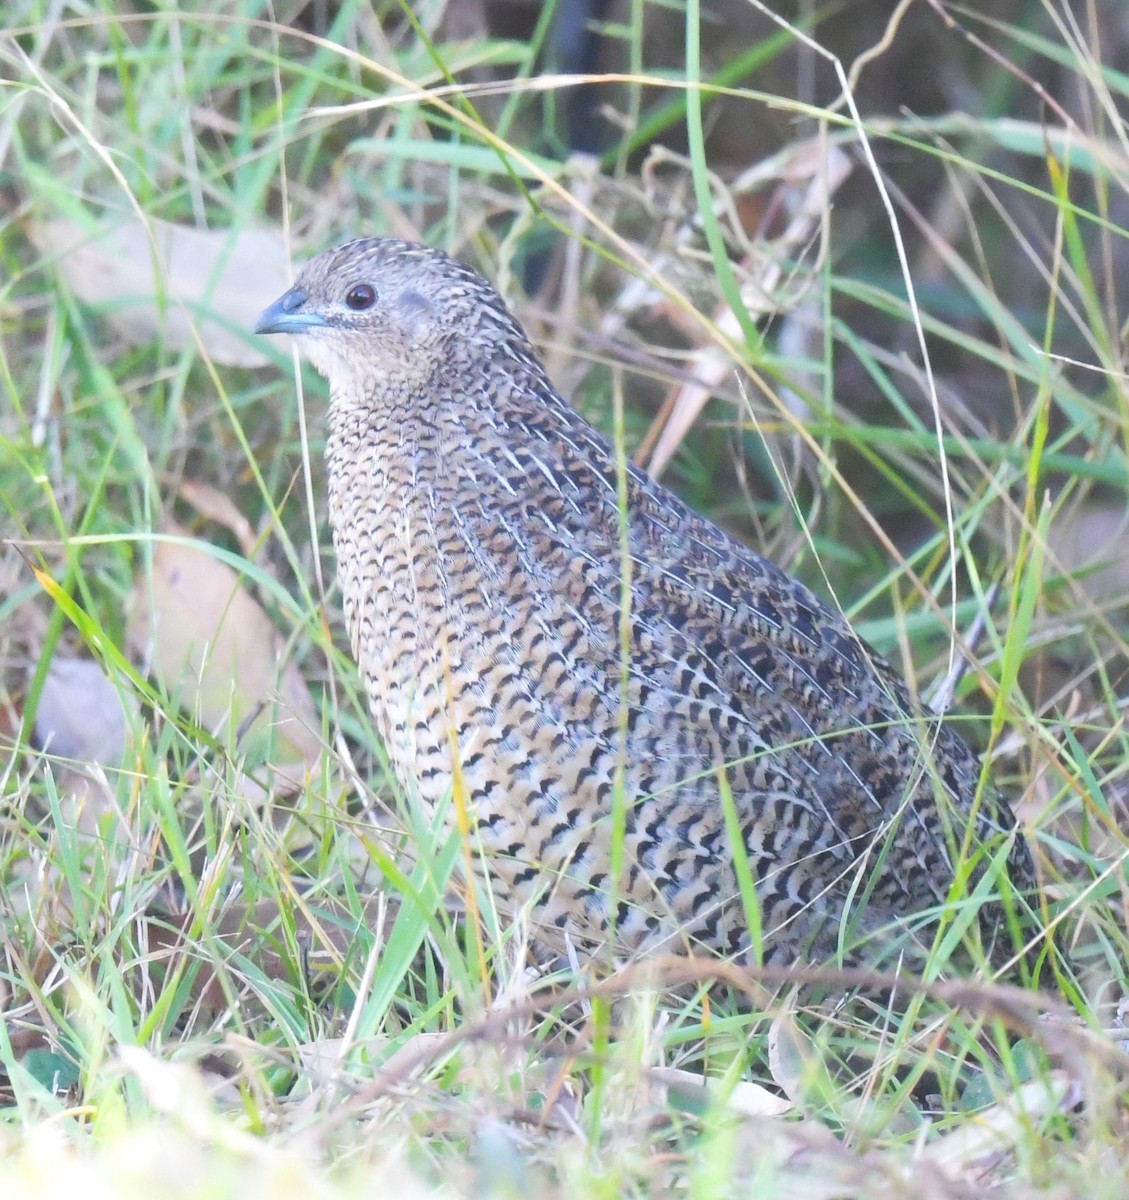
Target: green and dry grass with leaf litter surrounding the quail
{"x":852,"y":278}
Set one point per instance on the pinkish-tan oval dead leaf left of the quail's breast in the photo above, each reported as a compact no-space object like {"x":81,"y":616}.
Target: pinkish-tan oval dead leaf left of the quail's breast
{"x":218,"y":655}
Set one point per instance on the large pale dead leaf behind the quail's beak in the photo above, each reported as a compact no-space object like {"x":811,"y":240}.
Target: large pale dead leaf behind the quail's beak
{"x":164,"y":281}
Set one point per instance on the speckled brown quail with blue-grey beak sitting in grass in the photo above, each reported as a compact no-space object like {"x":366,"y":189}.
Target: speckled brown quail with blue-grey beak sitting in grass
{"x":487,"y":562}
